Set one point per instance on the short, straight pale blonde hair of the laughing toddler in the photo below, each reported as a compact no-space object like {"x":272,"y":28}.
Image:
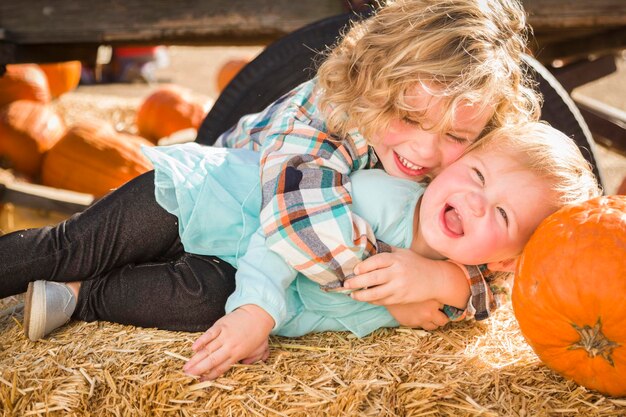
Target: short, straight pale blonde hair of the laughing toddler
{"x":550,"y":155}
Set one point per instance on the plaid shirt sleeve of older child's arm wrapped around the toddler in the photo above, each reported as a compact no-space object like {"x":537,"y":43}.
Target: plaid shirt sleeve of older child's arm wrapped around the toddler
{"x":306,"y":212}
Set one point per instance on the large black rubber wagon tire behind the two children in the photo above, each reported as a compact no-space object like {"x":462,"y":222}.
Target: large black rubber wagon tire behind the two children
{"x":290,"y":61}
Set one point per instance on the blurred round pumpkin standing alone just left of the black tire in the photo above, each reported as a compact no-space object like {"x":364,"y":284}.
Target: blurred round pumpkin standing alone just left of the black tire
{"x":167,"y":110}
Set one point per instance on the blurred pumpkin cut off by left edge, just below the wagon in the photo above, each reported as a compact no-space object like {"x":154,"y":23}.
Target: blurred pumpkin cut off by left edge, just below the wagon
{"x":24,"y":82}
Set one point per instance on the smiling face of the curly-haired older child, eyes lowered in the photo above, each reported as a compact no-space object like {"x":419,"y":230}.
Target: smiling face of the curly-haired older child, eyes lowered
{"x":410,"y":149}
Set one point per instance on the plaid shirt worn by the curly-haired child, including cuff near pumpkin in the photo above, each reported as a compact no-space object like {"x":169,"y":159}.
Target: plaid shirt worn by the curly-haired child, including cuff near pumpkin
{"x":306,"y":213}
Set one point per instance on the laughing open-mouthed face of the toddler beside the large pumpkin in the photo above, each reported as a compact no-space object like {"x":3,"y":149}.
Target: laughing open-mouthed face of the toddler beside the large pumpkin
{"x":483,"y":208}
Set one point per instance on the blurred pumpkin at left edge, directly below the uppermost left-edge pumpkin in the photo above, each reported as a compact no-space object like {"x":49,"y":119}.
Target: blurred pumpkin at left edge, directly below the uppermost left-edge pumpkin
{"x":27,"y":130}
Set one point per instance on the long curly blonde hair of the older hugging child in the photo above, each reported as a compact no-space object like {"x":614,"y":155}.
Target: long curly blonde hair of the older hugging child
{"x":469,"y":49}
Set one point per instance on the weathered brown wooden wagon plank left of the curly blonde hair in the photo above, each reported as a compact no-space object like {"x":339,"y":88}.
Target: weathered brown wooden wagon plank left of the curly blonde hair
{"x":161,"y":21}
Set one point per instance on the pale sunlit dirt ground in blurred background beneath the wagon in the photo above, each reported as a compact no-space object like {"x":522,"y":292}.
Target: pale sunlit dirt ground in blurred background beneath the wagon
{"x":197,"y":68}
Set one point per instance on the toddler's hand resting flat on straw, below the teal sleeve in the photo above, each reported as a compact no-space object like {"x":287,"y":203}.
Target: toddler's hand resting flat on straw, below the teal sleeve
{"x":239,"y":336}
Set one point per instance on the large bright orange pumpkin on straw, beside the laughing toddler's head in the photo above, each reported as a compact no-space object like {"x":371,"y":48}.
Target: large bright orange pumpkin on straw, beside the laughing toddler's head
{"x":569,"y":290}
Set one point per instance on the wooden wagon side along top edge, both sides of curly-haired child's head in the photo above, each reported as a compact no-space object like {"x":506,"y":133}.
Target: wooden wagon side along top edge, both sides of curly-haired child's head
{"x":54,"y":30}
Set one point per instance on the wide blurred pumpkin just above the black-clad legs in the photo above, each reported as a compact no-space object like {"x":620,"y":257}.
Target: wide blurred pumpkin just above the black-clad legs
{"x":94,"y":158}
